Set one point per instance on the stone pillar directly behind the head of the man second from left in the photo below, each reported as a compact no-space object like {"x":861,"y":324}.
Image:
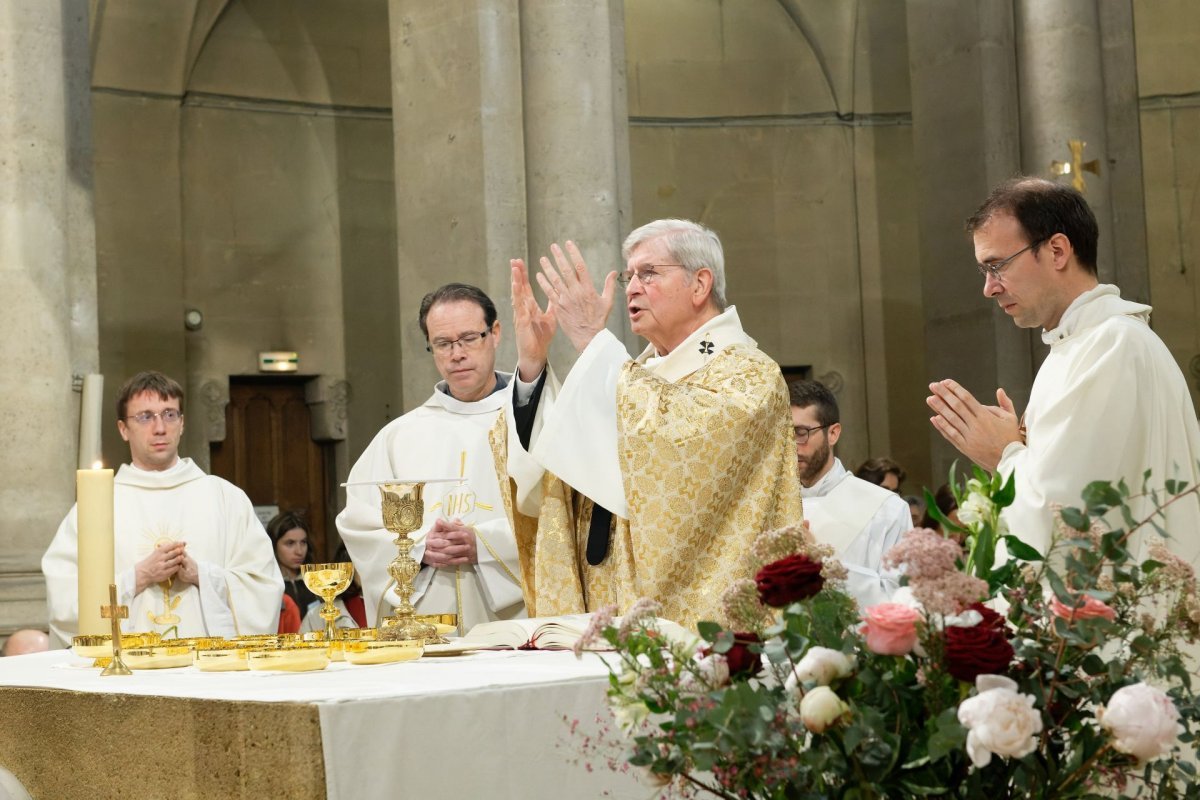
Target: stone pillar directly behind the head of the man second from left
{"x":460,"y":161}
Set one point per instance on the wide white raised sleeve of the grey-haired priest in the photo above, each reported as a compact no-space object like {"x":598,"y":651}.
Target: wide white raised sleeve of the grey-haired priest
{"x":578,"y":441}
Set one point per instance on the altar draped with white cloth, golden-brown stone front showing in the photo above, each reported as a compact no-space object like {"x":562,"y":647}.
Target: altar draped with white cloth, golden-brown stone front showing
{"x":490,"y":724}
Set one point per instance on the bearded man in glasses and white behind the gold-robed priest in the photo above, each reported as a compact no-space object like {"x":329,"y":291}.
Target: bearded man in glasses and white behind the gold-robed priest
{"x":859,"y":519}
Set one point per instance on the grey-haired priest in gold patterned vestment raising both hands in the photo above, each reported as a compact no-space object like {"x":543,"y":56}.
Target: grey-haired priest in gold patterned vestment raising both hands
{"x":665,"y":467}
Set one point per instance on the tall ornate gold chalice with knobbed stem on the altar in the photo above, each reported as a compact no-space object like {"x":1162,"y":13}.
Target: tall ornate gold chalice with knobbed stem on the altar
{"x":403,"y":514}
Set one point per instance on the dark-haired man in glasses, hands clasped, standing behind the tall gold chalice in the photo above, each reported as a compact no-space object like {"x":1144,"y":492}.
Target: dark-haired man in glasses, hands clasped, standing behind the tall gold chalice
{"x":466,"y":546}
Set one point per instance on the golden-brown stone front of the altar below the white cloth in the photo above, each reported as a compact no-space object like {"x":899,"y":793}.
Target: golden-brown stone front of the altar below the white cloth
{"x":63,"y":745}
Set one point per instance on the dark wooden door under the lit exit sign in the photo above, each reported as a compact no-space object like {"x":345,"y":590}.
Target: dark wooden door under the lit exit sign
{"x":271,"y":455}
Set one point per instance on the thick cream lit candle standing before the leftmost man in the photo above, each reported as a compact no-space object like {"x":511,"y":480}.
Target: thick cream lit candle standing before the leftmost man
{"x":94,"y":509}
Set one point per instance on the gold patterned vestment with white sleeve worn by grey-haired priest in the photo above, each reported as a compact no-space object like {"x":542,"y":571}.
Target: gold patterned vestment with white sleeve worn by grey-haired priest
{"x":693,"y":454}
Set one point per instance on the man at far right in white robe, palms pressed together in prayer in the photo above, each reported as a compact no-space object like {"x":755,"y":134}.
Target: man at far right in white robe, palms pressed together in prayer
{"x":1108,"y":404}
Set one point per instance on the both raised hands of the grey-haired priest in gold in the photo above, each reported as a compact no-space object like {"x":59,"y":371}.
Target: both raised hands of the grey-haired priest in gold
{"x":573,"y":304}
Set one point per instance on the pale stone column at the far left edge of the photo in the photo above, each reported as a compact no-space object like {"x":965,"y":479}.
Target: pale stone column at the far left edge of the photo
{"x":49,"y":275}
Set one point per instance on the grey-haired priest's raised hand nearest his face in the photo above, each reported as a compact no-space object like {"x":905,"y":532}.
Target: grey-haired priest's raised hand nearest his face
{"x":581,"y":312}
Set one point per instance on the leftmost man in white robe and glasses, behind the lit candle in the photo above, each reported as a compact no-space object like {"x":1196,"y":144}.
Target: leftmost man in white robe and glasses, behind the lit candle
{"x":191,"y":557}
